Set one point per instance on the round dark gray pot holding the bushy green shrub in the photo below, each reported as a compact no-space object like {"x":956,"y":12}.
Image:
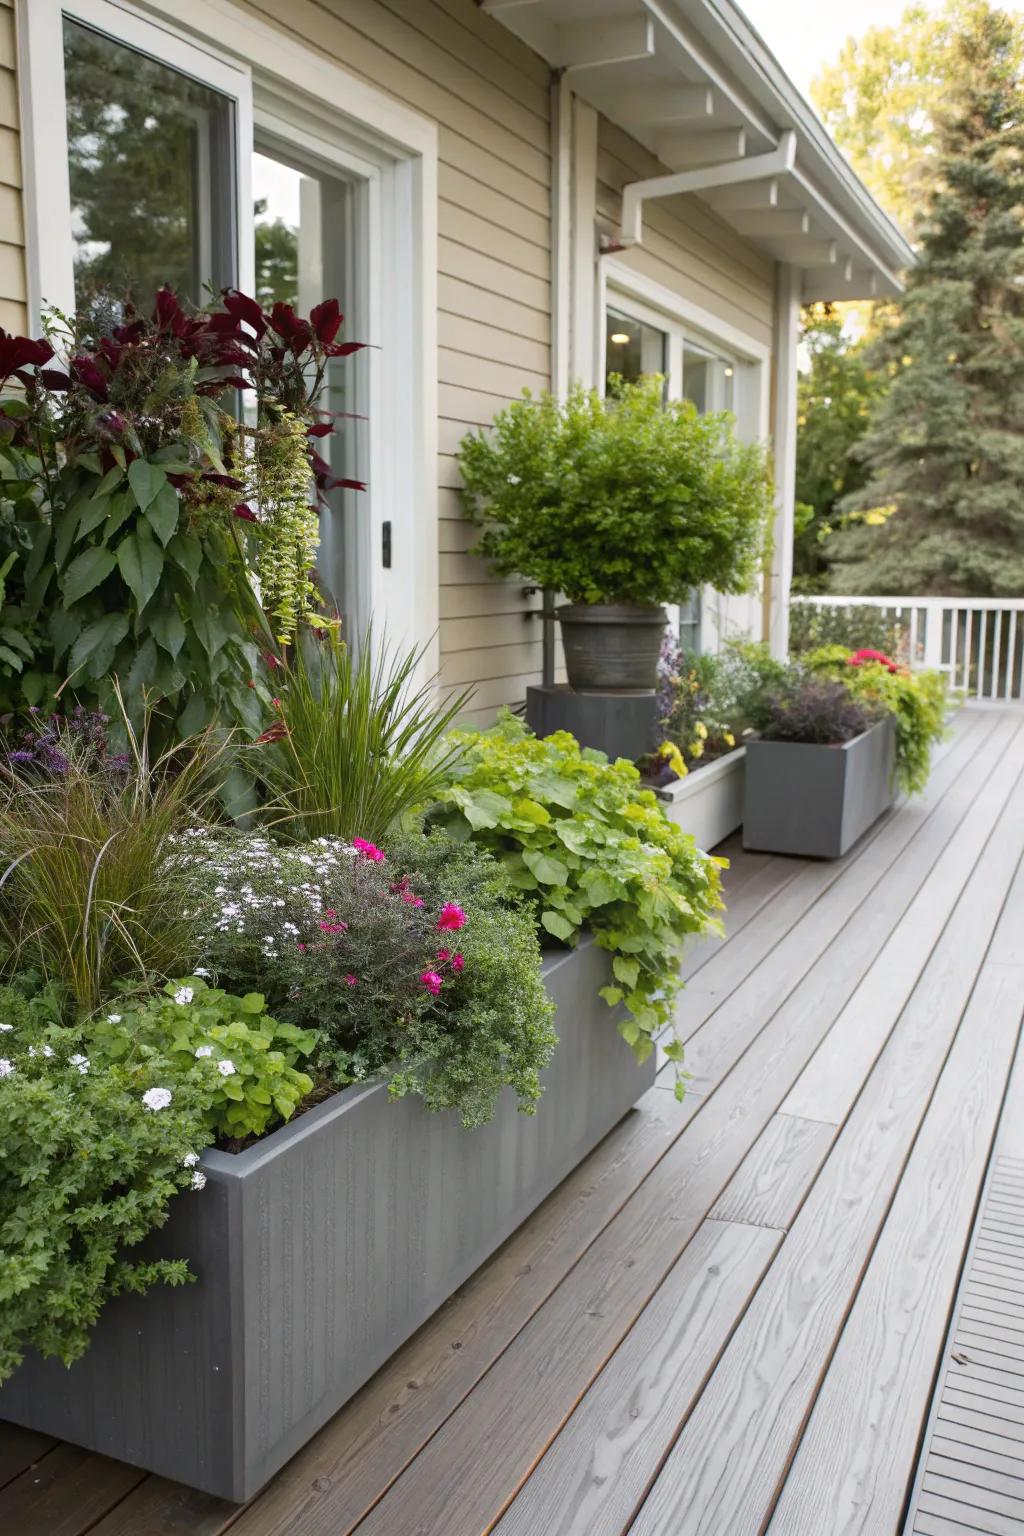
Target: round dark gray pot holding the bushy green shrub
{"x":612,"y":644}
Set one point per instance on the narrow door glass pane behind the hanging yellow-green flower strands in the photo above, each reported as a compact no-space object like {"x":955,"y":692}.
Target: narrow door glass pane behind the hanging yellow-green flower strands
{"x":306,"y":245}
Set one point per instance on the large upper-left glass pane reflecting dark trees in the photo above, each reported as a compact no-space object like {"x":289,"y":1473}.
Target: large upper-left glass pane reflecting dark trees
{"x":151,"y":161}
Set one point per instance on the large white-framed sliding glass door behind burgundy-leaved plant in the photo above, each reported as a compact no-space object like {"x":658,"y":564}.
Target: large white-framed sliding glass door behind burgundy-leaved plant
{"x":202,"y":148}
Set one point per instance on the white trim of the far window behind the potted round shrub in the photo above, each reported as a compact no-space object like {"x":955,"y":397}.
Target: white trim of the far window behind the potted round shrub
{"x":642,"y":299}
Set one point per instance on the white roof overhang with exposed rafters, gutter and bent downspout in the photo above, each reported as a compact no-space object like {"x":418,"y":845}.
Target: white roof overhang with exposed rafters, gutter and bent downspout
{"x":695,"y":84}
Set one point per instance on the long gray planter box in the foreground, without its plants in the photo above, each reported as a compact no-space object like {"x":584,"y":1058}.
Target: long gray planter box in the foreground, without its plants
{"x":319,"y":1253}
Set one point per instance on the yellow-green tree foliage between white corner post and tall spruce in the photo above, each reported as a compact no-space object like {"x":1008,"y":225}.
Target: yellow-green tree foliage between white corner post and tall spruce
{"x":834,"y":400}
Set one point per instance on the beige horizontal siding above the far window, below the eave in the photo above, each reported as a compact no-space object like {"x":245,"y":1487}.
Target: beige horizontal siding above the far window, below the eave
{"x":687,"y":247}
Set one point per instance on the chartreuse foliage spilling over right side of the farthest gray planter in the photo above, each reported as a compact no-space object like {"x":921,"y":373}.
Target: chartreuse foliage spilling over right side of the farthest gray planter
{"x":917,"y":701}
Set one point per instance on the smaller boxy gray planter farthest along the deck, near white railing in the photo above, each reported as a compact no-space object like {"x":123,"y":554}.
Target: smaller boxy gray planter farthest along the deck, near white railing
{"x":818,"y":801}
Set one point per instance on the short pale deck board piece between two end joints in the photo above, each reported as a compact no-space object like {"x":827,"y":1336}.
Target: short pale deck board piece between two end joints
{"x":775,"y":1176}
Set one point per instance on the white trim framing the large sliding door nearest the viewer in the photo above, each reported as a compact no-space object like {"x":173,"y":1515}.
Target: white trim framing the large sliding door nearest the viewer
{"x":403,"y":308}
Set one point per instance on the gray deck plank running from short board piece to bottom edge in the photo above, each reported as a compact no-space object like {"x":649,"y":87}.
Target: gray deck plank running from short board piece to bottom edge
{"x":595,"y":1474}
